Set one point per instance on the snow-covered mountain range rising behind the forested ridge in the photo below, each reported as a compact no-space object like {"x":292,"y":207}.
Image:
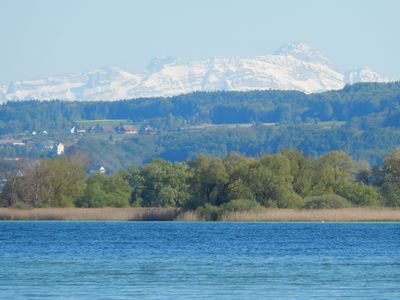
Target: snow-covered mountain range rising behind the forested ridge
{"x":292,"y":67}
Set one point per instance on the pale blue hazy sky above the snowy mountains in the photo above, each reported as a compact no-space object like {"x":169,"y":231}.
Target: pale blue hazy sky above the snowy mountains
{"x":48,"y":37}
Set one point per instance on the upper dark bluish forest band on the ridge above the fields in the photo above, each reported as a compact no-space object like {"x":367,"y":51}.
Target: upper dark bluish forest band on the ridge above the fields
{"x":376,"y":103}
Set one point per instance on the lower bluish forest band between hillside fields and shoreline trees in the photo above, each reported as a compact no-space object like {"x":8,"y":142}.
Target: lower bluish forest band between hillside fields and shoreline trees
{"x":370,"y":145}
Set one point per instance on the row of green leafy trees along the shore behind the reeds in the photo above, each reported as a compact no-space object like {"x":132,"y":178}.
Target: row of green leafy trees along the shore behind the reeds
{"x":209,"y":184}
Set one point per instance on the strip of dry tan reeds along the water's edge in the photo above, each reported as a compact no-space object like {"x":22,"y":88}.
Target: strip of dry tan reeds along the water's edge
{"x":175,"y":214}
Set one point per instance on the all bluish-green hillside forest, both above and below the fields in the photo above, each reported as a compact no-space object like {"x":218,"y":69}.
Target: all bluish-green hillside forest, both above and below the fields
{"x":362,"y":120}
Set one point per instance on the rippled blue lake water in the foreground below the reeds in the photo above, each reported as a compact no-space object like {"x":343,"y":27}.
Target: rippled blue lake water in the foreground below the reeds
{"x":173,"y":260}
